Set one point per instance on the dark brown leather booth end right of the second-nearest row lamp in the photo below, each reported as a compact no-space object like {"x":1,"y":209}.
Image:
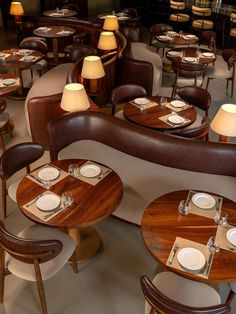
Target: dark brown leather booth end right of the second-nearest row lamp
{"x":131,"y":71}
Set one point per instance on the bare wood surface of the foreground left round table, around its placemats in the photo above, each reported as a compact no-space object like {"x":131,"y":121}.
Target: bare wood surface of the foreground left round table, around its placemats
{"x":91,"y":203}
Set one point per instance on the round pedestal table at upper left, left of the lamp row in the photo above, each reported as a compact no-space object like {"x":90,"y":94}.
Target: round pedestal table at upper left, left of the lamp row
{"x":54,"y":32}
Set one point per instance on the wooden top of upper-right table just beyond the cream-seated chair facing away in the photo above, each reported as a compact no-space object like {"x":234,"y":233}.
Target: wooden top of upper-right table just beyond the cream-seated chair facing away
{"x":191,"y":52}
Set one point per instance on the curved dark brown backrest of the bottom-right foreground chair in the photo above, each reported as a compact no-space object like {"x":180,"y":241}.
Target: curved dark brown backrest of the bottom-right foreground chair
{"x":162,"y":304}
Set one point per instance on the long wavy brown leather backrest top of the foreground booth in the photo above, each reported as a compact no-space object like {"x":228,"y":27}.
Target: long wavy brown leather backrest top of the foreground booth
{"x":142,"y":143}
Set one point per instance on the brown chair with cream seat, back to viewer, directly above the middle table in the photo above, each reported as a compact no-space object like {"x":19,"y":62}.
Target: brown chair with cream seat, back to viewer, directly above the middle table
{"x":187,"y":74}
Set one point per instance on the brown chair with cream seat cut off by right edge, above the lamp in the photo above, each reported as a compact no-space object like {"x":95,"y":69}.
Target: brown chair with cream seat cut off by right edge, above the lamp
{"x":229,"y":56}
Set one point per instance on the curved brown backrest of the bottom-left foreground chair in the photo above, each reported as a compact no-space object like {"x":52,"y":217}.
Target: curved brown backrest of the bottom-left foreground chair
{"x":27,"y":250}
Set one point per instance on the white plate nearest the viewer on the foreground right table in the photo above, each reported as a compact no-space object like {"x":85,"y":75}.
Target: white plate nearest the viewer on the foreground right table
{"x":191,"y":258}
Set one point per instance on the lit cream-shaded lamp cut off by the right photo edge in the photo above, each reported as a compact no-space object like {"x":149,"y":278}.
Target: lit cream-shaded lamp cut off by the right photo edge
{"x":224,"y":122}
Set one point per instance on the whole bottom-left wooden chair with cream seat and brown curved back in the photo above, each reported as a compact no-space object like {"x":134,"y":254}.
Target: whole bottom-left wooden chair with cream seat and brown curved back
{"x":37,"y":253}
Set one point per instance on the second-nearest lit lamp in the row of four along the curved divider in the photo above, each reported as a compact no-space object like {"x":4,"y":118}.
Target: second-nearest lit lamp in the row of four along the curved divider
{"x":93,"y":70}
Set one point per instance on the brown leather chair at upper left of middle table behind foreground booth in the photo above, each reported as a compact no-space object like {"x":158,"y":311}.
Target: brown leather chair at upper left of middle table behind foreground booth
{"x":124,"y":93}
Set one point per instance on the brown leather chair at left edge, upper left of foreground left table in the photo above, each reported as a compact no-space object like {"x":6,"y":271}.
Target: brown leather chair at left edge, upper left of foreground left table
{"x":20,"y":156}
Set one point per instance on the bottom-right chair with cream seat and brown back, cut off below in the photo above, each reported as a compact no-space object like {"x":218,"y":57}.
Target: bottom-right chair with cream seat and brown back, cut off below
{"x":171,"y":294}
